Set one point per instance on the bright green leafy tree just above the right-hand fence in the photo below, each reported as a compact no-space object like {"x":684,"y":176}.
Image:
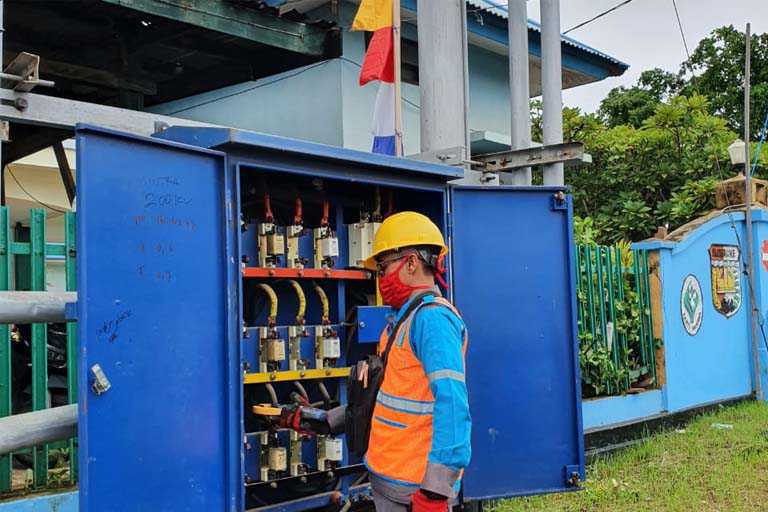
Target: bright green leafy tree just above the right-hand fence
{"x":661,"y":173}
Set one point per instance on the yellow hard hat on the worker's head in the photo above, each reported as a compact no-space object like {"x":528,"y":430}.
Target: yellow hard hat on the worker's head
{"x":405,"y":229}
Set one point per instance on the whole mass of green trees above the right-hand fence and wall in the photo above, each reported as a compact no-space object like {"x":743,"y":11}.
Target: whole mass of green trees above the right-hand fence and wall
{"x":660,"y":146}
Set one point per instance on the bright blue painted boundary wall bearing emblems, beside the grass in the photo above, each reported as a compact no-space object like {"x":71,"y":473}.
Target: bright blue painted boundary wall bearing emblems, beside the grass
{"x":715,"y":364}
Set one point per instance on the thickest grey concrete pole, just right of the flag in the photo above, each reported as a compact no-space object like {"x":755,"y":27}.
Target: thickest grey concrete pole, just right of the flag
{"x":441,"y":74}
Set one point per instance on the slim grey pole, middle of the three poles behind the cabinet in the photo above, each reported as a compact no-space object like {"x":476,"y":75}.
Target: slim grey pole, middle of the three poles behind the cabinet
{"x":519,"y":87}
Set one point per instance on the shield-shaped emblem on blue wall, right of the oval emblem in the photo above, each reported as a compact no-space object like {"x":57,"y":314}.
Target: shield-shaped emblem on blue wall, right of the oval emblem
{"x":725,"y":266}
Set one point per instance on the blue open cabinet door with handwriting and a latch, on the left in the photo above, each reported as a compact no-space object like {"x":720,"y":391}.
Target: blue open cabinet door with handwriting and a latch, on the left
{"x":155,"y":327}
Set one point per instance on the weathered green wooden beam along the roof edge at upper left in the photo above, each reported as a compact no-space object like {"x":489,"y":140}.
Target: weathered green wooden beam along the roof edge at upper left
{"x":237,"y":21}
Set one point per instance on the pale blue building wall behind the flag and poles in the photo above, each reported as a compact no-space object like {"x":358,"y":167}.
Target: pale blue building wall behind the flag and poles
{"x":324,"y":103}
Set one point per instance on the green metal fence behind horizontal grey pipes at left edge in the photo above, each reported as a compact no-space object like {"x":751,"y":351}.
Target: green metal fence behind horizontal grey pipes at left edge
{"x":23,"y":256}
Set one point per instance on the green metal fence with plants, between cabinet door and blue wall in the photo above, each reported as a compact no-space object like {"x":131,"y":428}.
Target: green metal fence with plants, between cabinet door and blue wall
{"x":618,"y":347}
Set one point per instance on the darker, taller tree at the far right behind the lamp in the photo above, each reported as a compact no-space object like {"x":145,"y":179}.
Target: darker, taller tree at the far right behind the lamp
{"x":717,"y":68}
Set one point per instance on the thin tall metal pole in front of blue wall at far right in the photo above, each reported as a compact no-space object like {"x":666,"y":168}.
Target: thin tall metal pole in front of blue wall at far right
{"x":750,"y":262}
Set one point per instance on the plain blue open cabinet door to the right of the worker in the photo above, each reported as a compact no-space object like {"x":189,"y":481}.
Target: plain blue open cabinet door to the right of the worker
{"x":513,"y":282}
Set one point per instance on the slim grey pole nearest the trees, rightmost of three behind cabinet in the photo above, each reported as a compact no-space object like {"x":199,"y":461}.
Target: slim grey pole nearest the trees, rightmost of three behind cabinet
{"x":552,"y":85}
